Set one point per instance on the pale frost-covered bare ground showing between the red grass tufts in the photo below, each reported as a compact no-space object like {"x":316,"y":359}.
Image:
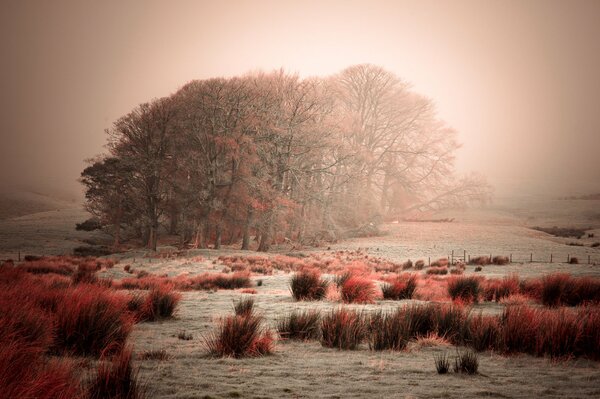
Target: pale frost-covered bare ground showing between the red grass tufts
{"x":306,"y":369}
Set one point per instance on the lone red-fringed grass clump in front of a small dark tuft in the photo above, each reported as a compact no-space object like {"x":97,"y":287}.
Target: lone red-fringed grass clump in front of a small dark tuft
{"x":239,"y":336}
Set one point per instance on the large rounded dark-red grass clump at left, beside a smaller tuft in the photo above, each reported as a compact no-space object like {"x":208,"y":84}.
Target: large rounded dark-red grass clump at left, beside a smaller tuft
{"x":91,"y":320}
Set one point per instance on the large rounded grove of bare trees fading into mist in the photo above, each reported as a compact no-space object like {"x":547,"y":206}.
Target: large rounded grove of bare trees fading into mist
{"x":276,"y":157}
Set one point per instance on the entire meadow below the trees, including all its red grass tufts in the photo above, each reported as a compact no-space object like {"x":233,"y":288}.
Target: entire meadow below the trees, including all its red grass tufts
{"x":385,"y":316}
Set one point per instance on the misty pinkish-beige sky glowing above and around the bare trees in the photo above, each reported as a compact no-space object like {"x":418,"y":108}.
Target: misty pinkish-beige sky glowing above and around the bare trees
{"x":519,"y":80}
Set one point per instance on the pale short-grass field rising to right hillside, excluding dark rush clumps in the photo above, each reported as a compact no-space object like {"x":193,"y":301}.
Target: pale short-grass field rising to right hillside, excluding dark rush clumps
{"x":299,"y":369}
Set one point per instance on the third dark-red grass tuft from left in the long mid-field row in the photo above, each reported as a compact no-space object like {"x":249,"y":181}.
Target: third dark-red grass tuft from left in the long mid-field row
{"x":389,"y":330}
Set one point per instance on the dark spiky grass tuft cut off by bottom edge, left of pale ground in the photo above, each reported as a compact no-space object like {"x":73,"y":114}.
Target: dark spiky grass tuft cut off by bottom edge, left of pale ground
{"x":116,"y":379}
